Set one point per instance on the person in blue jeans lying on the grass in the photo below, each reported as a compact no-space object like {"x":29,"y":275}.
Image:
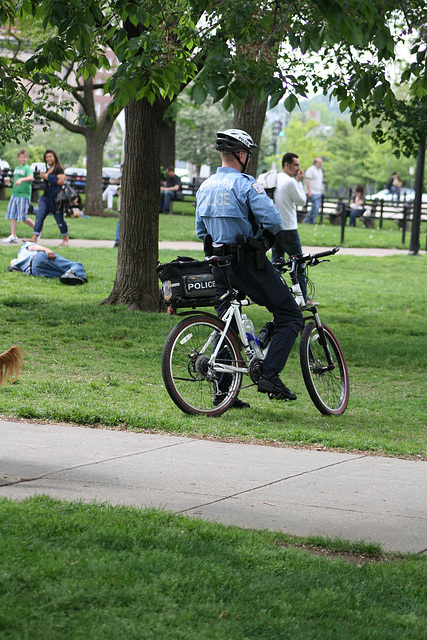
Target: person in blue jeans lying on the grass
{"x":36,"y":260}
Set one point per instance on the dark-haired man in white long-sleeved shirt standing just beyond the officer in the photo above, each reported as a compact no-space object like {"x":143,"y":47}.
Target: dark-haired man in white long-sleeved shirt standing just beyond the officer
{"x":288,"y":194}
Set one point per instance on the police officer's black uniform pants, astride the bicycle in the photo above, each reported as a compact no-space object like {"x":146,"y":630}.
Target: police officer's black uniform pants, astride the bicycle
{"x":268,"y":289}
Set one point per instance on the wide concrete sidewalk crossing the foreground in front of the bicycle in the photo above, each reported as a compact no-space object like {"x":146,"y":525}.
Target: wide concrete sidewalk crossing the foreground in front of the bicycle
{"x":297,"y":491}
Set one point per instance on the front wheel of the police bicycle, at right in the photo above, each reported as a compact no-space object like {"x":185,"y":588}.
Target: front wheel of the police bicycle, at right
{"x":328,"y":386}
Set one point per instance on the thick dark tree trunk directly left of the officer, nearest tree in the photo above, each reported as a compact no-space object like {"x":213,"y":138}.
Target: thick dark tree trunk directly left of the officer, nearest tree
{"x":136,"y":284}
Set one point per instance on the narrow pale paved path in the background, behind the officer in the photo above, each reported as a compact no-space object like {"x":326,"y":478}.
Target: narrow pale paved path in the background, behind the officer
{"x":197,"y":246}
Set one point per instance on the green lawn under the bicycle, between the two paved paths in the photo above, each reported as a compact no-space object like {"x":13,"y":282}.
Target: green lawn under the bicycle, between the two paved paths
{"x":100,"y":365}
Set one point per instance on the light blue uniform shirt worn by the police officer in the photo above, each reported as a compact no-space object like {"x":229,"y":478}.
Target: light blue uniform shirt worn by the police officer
{"x":223,"y":205}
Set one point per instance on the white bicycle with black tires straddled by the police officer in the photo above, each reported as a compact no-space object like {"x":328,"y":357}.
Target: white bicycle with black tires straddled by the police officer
{"x":205,"y":357}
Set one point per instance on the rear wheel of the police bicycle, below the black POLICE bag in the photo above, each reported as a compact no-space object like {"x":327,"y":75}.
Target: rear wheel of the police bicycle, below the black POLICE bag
{"x":195,"y":386}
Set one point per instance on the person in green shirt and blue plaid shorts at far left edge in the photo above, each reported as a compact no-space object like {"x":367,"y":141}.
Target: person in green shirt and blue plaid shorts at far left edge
{"x":20,"y":199}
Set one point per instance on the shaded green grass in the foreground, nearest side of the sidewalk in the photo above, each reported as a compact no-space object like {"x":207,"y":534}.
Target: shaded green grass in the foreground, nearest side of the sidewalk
{"x":72,"y":571}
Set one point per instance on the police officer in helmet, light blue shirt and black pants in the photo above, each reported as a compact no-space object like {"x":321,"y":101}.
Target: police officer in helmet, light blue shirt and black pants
{"x":234,"y":210}
